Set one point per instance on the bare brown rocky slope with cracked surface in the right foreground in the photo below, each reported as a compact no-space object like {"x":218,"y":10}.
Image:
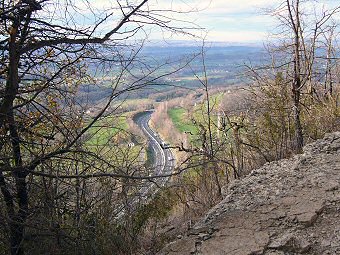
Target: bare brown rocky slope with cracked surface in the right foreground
{"x":287,"y":207}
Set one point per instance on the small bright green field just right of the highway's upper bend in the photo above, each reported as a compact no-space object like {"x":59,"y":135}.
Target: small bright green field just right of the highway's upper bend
{"x":180,"y":120}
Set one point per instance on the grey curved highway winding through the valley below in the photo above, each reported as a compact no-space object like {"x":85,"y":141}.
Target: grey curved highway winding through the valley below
{"x":163,"y":159}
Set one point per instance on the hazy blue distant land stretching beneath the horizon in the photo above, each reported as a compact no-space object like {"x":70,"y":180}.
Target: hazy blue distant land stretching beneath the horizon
{"x":224,"y":65}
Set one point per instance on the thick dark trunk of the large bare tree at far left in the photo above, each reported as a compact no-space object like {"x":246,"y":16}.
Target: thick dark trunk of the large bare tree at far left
{"x":16,"y":219}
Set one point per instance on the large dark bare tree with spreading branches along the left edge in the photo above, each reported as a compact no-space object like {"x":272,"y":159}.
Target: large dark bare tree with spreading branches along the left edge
{"x":49,"y":52}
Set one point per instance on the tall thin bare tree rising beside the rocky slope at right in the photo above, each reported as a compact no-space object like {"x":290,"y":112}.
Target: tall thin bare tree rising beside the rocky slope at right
{"x":301,"y":30}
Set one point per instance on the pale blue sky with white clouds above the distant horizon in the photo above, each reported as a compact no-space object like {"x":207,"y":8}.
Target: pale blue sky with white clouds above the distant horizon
{"x":223,"y":20}
